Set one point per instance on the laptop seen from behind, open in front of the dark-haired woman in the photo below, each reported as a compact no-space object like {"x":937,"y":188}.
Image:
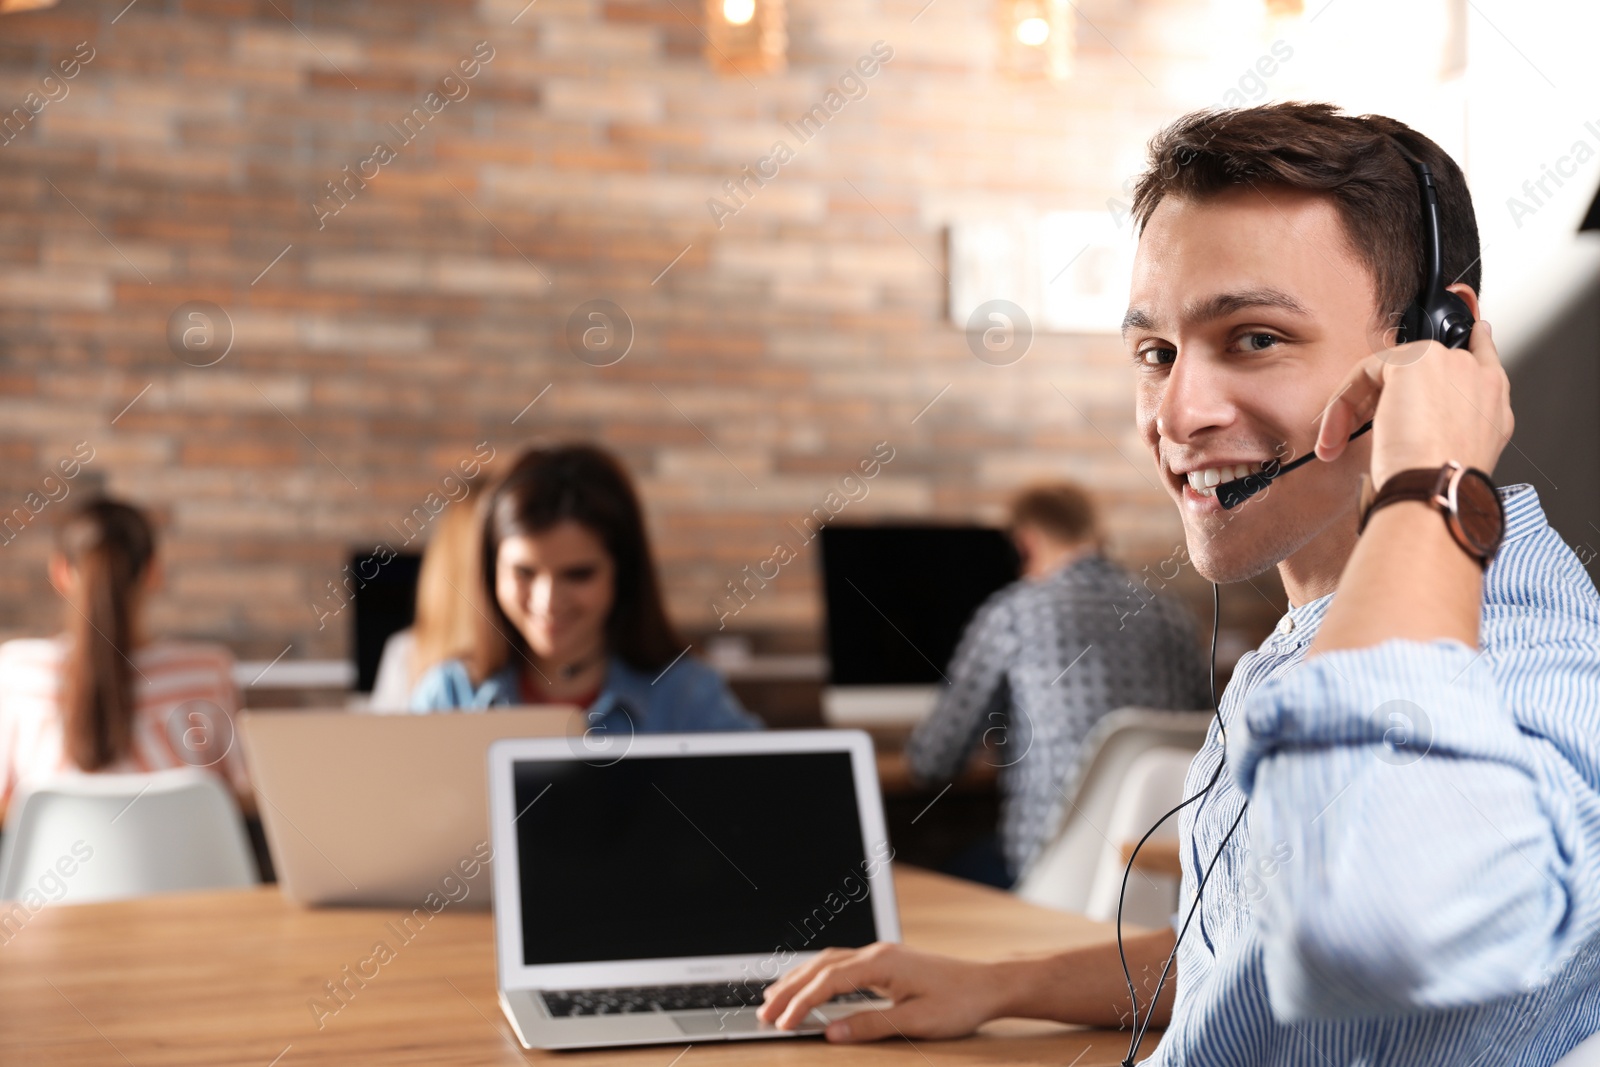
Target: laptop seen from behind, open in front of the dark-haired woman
{"x":367,"y":809}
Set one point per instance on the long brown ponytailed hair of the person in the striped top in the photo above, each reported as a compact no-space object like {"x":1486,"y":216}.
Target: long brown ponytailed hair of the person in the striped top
{"x":110,"y":546}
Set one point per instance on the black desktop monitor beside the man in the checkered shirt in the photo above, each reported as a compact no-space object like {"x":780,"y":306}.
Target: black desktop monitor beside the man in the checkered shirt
{"x":898,"y":597}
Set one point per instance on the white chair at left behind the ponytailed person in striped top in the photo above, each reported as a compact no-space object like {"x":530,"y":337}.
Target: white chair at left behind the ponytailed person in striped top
{"x":106,"y":837}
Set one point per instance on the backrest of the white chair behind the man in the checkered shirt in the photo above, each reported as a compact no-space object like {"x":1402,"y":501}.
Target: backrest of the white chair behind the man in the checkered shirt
{"x":1066,"y":869}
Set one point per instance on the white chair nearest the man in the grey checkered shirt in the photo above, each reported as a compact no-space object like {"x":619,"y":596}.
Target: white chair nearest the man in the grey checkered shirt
{"x":1068,"y":871}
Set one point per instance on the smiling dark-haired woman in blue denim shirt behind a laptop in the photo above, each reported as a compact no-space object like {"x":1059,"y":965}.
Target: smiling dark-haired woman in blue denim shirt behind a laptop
{"x":572,"y":609}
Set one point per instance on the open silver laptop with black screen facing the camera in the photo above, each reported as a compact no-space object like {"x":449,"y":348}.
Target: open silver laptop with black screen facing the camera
{"x":650,"y":897}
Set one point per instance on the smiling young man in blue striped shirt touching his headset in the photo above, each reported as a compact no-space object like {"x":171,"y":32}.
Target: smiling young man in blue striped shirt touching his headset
{"x":1391,"y":841}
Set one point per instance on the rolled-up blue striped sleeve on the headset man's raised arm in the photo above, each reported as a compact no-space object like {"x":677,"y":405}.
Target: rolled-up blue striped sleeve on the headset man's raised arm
{"x":1441,"y":815}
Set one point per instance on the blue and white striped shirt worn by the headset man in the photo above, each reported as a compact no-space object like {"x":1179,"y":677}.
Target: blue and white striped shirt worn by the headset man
{"x":1417,"y":881}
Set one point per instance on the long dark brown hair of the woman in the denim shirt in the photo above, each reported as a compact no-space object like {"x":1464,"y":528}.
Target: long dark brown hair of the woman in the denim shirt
{"x":586,"y":486}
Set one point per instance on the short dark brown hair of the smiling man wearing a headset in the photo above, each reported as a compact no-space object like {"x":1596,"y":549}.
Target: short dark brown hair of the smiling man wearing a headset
{"x":1353,"y":159}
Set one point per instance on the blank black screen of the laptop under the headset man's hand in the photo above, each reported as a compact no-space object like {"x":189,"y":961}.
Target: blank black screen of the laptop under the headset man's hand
{"x":690,"y":857}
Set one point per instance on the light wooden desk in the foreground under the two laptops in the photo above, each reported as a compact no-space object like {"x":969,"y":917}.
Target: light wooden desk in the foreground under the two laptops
{"x":226,"y":978}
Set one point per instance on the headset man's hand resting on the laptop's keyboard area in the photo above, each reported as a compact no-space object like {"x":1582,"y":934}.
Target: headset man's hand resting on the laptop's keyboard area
{"x":935,"y":997}
